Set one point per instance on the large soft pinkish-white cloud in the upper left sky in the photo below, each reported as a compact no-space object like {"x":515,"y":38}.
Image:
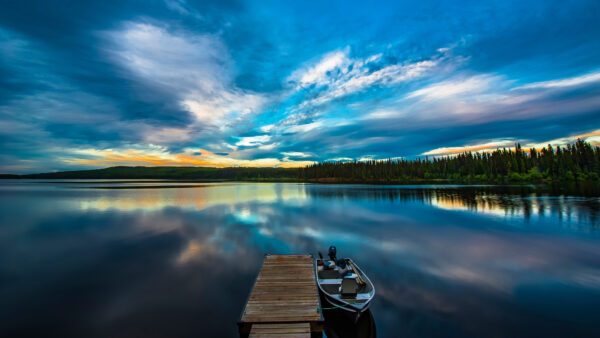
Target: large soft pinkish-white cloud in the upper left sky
{"x":195,"y":68}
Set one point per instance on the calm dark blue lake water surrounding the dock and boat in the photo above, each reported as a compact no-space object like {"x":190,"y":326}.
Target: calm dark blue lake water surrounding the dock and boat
{"x":80,"y":260}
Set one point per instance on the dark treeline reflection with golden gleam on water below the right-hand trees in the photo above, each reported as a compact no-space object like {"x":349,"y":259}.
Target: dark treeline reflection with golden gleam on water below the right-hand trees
{"x":513,"y":201}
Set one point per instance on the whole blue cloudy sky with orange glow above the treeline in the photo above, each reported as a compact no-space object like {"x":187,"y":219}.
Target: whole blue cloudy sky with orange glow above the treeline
{"x":92,"y":84}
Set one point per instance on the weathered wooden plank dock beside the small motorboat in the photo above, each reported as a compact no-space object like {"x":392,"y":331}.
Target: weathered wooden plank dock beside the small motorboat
{"x":284,"y":301}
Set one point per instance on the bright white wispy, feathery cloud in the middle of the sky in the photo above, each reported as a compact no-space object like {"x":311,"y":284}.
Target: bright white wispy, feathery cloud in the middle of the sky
{"x":336,"y":75}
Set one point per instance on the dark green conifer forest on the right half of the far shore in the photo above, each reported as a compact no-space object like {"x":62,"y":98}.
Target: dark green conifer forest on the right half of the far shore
{"x":579,"y":161}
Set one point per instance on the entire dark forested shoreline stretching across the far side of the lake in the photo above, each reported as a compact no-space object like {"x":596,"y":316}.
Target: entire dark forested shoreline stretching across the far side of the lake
{"x":578,"y":163}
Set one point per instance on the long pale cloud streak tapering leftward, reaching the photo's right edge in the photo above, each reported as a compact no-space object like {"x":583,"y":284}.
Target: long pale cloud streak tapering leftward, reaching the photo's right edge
{"x":474,"y":99}
